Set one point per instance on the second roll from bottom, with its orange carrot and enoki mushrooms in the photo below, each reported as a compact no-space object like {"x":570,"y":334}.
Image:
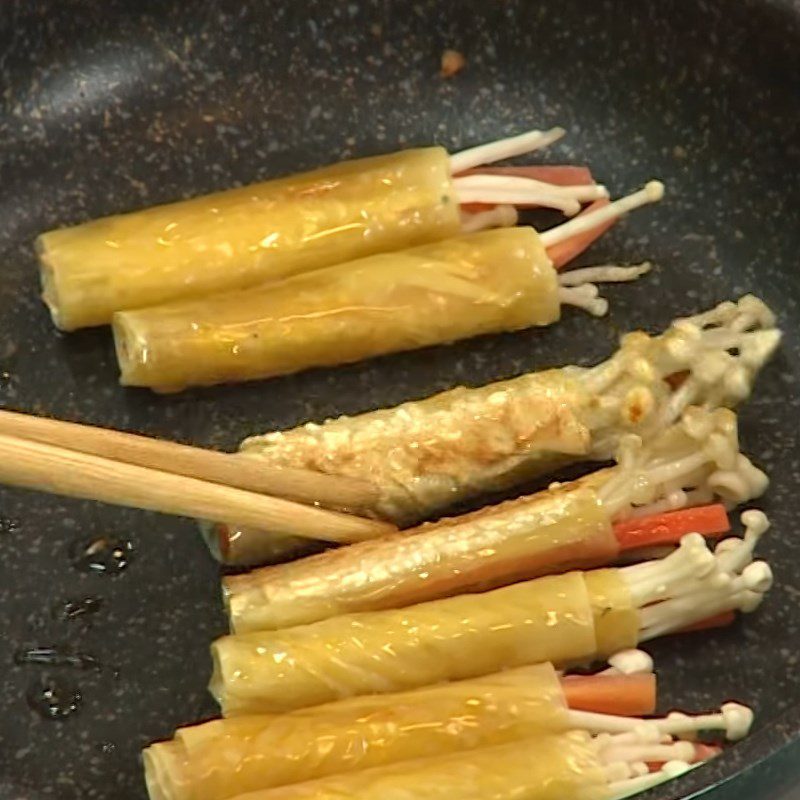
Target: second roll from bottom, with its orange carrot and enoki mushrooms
{"x":224,"y":758}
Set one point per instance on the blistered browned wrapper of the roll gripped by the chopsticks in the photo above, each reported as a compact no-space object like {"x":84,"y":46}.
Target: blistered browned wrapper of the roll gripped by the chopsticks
{"x":426,"y":454}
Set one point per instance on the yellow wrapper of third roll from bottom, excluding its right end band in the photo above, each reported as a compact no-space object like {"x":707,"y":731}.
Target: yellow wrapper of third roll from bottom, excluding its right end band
{"x":548,"y":619}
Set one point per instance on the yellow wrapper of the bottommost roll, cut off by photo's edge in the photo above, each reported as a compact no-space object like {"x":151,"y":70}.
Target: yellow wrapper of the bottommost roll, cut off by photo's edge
{"x":558,"y":767}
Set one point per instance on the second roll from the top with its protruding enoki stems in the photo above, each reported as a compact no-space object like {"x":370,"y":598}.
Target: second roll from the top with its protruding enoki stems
{"x":479,"y":283}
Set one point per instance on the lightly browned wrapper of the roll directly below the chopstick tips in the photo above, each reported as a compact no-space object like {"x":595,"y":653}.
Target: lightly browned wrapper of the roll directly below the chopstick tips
{"x":551,"y":531}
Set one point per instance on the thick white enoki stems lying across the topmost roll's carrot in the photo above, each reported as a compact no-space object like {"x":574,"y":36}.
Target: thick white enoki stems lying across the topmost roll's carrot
{"x":523,"y":191}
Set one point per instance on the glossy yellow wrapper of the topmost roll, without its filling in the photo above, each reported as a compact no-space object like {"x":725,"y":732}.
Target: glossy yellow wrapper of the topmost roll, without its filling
{"x":238,"y":238}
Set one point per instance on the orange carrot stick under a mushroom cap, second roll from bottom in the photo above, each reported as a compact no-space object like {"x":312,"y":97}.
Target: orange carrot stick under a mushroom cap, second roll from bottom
{"x":621,"y":695}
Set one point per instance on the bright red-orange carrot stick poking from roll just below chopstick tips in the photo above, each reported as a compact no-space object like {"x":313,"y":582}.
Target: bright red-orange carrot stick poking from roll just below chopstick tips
{"x":668,"y":528}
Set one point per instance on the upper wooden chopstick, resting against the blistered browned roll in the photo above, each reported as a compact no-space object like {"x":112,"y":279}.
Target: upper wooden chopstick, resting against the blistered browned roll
{"x":231,"y":469}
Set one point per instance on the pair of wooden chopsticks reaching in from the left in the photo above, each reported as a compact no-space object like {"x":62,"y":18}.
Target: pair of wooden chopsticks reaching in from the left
{"x":125,"y":469}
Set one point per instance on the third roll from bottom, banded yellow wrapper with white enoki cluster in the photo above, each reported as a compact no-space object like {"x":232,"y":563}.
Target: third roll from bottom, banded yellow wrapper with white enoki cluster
{"x":563,"y":619}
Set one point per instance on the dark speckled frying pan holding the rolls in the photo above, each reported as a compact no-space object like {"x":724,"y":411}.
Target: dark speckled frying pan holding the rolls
{"x":111,"y":105}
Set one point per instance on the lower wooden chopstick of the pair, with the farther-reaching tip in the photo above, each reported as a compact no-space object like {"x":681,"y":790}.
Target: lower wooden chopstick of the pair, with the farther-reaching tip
{"x":34,"y":465}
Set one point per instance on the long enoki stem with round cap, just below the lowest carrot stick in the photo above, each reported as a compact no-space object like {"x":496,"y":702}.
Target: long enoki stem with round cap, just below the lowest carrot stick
{"x":733,"y":721}
